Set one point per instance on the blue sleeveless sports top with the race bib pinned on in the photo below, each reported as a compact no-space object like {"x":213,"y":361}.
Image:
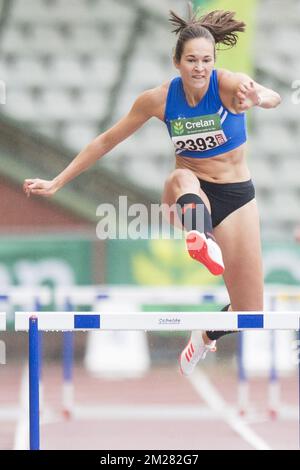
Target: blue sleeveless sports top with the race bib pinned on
{"x":205,"y":130}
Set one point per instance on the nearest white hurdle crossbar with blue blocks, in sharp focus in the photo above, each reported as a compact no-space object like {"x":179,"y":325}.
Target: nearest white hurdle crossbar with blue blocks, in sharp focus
{"x":159,"y":321}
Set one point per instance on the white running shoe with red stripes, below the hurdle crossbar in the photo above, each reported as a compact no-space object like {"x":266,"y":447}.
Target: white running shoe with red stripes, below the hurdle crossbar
{"x":195,"y":350}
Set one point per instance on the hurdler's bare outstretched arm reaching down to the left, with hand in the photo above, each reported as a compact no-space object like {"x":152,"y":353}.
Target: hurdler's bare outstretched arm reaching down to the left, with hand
{"x":144,"y":108}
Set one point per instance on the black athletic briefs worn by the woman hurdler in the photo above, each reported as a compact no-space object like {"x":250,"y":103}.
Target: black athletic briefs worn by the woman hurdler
{"x":226,"y":198}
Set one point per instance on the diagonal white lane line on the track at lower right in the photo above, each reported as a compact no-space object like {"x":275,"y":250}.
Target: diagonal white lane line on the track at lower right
{"x":210,"y":395}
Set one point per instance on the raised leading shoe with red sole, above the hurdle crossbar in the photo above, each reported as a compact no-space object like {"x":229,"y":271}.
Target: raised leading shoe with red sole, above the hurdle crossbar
{"x":206,"y":251}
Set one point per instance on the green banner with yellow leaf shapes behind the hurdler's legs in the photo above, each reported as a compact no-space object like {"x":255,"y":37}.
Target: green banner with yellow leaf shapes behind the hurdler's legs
{"x":166,"y":262}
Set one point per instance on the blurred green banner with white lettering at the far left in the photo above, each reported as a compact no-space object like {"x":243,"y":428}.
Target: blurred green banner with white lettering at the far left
{"x":43,"y":261}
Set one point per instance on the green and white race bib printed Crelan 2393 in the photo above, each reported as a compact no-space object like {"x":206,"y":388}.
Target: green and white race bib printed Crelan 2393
{"x":197,"y":134}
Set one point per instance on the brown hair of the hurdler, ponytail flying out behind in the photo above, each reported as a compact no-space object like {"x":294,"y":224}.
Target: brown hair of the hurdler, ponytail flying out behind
{"x":218,"y":27}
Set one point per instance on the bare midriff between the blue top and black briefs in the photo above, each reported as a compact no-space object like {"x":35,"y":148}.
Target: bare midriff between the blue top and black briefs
{"x":230,"y":167}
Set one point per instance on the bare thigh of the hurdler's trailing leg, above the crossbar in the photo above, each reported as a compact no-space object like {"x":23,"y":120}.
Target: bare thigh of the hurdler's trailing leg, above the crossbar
{"x":239,"y":239}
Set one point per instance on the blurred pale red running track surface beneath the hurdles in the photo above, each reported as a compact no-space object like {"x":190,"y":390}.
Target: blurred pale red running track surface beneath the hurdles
{"x":162,"y":389}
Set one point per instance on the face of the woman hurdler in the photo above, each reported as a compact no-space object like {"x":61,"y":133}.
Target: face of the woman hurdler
{"x":197,"y":62}
